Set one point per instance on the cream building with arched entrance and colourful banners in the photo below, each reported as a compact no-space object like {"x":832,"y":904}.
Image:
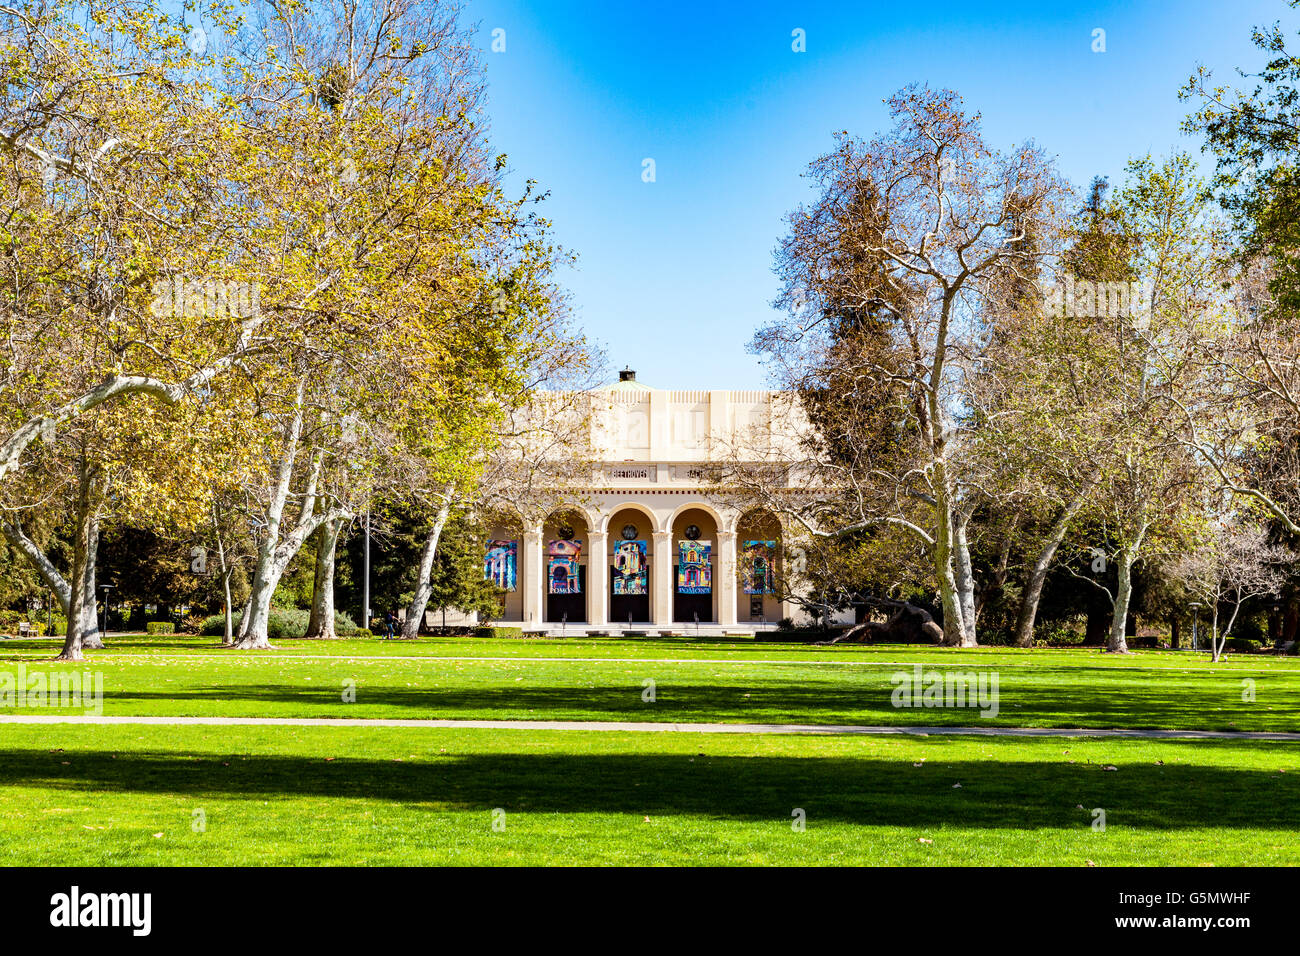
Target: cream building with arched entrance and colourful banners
{"x":649,"y":499}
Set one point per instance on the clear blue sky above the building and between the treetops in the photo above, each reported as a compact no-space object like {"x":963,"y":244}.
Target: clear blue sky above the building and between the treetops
{"x":674,"y":276}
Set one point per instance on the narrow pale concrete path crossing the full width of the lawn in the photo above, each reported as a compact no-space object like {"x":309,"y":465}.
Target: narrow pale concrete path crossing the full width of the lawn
{"x":612,"y":726}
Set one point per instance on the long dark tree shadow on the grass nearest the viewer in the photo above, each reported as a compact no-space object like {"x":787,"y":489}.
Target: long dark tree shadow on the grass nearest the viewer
{"x":865,"y":791}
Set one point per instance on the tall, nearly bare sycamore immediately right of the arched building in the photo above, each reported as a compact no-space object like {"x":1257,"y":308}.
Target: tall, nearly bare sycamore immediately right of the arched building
{"x":904,"y":232}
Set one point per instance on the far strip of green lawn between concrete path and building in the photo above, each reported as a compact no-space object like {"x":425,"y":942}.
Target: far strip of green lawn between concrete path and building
{"x":695,"y":682}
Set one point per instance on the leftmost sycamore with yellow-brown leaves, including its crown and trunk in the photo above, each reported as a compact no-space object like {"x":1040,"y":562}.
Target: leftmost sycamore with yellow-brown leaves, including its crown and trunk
{"x":137,"y":243}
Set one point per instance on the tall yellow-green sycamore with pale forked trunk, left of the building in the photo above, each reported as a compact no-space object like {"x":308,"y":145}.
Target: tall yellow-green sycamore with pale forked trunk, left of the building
{"x":400,"y":231}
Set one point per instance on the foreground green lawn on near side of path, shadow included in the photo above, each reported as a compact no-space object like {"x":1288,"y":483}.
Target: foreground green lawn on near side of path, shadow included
{"x":340,"y":795}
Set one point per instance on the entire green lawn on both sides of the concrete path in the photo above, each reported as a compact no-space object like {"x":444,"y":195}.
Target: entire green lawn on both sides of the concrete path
{"x":128,"y":795}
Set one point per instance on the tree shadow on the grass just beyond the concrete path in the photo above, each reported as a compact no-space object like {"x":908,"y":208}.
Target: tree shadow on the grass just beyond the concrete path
{"x":1136,"y":706}
